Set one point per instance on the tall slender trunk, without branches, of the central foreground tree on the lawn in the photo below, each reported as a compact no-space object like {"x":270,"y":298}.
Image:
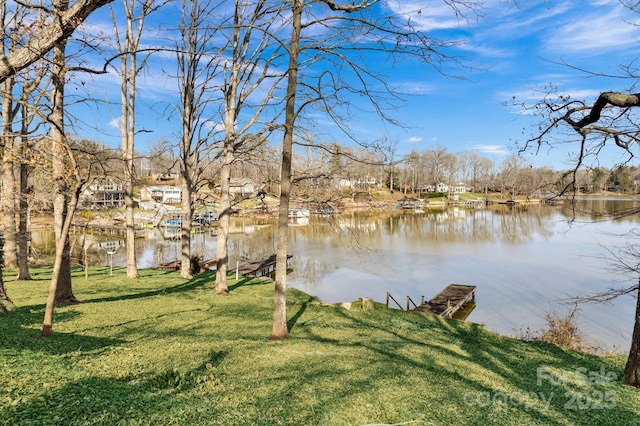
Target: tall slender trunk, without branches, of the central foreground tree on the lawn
{"x":280,"y":328}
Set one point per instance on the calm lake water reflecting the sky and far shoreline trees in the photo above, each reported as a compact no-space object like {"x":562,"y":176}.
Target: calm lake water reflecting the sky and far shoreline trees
{"x":525,"y":260}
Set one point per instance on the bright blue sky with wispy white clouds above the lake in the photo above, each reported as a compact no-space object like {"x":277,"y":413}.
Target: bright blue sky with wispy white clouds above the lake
{"x":512,"y":51}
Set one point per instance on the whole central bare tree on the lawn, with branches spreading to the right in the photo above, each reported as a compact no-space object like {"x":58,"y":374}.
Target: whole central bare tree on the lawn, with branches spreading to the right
{"x":345,"y":31}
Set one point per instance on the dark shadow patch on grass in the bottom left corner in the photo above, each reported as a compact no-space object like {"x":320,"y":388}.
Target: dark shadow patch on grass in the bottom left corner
{"x":148,"y":398}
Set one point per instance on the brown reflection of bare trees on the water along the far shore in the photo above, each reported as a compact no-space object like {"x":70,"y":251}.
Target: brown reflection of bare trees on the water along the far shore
{"x":353,"y":234}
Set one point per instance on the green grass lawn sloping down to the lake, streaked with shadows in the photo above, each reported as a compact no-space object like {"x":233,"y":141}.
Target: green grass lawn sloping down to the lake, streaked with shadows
{"x":165,"y":351}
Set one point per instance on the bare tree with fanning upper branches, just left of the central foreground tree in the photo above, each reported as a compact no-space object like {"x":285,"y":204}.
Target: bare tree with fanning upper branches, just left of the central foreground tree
{"x":250,"y":70}
